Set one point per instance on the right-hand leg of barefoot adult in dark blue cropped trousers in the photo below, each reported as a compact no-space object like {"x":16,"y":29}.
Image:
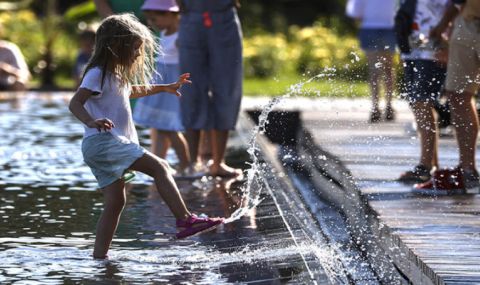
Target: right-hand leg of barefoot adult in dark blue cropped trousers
{"x":226,"y":70}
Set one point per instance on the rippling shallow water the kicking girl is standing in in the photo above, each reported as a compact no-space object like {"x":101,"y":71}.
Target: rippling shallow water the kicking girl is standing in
{"x":49,"y":206}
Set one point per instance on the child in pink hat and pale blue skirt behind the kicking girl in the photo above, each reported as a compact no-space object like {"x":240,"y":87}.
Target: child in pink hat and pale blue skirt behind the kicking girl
{"x":162,"y":113}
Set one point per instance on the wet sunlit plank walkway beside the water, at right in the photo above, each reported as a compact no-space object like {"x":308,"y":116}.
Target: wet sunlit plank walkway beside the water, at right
{"x":432,"y":240}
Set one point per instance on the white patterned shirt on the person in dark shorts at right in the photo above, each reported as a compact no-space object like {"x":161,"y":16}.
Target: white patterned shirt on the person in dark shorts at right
{"x":427,"y":15}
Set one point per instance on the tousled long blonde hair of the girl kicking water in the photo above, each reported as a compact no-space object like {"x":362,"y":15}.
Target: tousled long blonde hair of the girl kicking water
{"x":114,"y":50}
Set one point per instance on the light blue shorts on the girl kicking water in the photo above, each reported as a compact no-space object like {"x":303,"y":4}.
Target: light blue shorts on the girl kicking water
{"x":109,"y":157}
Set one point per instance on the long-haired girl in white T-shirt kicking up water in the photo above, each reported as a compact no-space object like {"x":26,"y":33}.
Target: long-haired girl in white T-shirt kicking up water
{"x":124,"y":55}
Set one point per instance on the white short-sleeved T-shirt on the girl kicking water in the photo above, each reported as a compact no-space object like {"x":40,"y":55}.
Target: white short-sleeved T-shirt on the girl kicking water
{"x":112,"y":102}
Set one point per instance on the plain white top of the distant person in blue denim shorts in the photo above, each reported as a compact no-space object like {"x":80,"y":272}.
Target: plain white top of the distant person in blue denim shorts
{"x":374,"y":14}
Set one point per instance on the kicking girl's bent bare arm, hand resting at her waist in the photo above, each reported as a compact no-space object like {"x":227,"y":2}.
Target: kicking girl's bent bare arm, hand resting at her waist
{"x":77,"y":108}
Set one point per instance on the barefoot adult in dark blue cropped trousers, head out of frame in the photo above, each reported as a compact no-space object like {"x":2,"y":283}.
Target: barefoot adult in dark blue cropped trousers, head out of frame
{"x":210,"y":48}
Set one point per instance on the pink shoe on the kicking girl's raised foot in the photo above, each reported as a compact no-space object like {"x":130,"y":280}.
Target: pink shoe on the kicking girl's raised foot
{"x":194,"y":225}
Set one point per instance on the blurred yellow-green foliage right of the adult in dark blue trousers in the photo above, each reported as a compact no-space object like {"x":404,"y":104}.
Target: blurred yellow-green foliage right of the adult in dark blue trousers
{"x":309,"y":50}
